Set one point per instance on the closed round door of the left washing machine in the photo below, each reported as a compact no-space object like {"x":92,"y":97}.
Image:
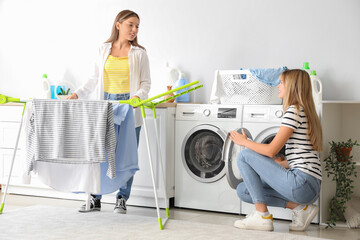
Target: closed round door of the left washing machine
{"x":202,"y":153}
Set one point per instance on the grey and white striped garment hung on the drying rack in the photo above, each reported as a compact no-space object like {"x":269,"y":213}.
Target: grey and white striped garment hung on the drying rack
{"x":66,"y":131}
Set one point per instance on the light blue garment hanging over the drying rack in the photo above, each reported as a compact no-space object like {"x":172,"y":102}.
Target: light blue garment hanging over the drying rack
{"x":126,"y":155}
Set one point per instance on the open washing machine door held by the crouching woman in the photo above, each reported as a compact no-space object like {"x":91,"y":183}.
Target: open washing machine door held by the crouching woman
{"x":230,"y":153}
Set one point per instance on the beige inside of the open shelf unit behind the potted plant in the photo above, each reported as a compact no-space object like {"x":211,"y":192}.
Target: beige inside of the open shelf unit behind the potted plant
{"x":340,"y":121}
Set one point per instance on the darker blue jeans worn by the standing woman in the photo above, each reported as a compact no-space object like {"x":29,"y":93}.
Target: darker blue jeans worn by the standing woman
{"x":124,"y":192}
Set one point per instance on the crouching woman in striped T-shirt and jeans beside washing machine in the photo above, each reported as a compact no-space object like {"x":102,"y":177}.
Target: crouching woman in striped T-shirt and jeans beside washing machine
{"x":293,"y":182}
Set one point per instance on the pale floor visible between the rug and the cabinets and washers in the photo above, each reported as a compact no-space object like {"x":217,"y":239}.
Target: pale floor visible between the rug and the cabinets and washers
{"x":19,"y":201}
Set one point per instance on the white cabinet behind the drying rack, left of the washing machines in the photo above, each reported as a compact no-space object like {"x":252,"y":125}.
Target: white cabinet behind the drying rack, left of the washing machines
{"x":142,"y":190}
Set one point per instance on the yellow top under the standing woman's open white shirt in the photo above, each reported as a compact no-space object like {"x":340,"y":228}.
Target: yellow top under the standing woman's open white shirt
{"x":117,"y":75}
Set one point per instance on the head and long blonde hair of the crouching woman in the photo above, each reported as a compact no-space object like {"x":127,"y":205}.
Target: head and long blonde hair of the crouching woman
{"x":299,"y":93}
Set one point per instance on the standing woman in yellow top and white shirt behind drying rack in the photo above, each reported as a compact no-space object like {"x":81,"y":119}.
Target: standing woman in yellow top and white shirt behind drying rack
{"x":121,"y":72}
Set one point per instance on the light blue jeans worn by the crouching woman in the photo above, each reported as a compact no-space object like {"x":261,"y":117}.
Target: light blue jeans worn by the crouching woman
{"x":267,"y":182}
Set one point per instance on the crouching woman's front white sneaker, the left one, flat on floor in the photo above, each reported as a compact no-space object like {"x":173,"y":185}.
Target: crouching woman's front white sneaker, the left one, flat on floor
{"x":255,"y":221}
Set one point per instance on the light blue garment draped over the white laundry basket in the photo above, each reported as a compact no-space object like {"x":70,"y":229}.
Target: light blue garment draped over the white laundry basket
{"x":269,"y":76}
